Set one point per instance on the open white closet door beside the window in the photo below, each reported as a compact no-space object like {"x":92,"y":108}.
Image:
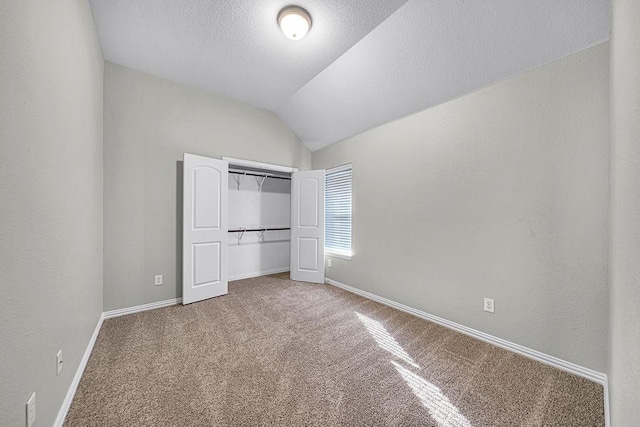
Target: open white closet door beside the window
{"x":307,"y":226}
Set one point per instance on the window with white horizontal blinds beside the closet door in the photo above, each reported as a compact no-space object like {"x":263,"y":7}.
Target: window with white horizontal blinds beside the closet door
{"x":337,"y":241}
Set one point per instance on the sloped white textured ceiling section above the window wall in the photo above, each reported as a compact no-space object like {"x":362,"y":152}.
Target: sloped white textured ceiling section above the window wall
{"x":430,"y":52}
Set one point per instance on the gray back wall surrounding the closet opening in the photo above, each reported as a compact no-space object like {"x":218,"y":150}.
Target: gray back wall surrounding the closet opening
{"x":148,"y":124}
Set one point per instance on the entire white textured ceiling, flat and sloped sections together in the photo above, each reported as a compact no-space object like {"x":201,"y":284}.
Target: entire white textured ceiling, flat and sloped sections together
{"x":364,"y":63}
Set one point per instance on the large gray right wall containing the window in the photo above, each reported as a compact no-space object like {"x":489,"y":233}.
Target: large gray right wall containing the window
{"x":502,"y":193}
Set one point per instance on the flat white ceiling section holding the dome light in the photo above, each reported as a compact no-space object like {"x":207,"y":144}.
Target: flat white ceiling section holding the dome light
{"x":232,"y":47}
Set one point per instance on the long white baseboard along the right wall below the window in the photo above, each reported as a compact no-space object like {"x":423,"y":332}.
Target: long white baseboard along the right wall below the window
{"x":572,"y":368}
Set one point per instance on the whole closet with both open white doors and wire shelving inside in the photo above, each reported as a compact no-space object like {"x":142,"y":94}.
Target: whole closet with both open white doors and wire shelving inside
{"x":249,"y":218}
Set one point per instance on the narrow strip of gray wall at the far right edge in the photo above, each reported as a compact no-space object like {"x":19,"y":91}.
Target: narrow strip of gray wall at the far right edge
{"x":624,"y":336}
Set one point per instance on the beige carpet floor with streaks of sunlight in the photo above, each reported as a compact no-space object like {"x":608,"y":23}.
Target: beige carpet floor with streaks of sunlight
{"x":278,"y":352}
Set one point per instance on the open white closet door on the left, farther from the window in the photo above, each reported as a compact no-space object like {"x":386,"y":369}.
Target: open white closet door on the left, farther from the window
{"x":205,"y":228}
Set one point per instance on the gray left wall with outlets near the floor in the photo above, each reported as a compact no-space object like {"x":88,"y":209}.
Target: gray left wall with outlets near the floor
{"x":51,"y":71}
